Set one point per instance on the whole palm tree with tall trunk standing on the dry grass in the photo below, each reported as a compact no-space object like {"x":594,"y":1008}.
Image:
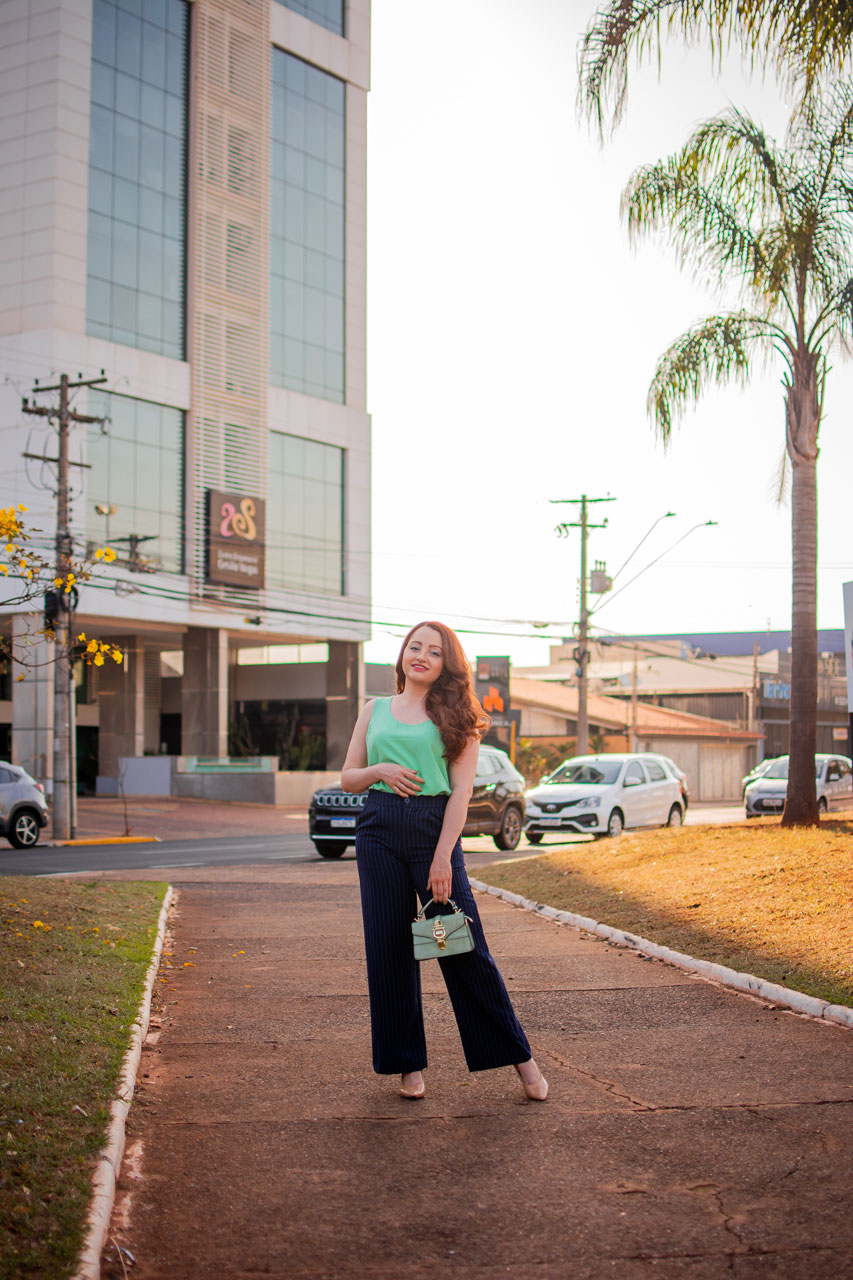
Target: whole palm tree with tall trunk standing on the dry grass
{"x":778,"y":223}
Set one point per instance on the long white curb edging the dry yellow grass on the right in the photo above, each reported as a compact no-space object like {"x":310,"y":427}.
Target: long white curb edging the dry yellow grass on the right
{"x":749,"y":982}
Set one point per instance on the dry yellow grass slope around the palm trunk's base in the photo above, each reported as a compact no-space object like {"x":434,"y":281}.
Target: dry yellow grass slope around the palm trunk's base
{"x":758,"y":898}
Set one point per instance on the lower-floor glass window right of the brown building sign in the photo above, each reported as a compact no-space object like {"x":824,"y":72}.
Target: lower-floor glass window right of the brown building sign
{"x":305,"y":515}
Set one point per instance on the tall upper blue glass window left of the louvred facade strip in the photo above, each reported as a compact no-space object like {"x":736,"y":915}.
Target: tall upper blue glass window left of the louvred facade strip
{"x":138,"y":175}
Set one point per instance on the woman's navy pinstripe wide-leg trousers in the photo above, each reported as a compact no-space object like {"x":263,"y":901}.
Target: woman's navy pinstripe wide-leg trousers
{"x":396,"y":840}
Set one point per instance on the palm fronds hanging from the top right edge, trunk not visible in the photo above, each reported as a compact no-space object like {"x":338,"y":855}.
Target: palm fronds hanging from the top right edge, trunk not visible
{"x":804,"y":39}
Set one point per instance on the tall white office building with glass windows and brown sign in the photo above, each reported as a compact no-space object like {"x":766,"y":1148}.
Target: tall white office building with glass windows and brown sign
{"x":191,"y":222}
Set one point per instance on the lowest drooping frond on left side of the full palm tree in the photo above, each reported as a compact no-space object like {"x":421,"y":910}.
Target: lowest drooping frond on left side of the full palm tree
{"x":714,"y":353}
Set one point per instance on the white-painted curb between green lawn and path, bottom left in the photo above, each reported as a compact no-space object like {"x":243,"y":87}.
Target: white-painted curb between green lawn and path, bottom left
{"x":89,"y":1263}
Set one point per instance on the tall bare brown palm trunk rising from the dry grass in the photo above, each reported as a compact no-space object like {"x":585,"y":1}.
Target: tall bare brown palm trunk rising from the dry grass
{"x":801,"y":806}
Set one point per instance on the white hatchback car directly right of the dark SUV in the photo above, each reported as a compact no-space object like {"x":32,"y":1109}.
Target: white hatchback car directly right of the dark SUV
{"x":601,"y":796}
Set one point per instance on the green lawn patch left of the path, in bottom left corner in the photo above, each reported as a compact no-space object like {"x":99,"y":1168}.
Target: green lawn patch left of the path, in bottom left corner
{"x":74,"y":959}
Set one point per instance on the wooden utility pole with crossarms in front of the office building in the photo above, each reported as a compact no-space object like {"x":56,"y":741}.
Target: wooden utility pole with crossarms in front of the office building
{"x":65,"y":729}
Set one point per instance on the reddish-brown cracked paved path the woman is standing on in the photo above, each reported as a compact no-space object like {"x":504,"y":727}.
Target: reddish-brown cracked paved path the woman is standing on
{"x":691,"y":1133}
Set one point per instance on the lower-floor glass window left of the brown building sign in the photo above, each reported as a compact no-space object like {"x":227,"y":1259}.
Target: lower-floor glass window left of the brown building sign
{"x":135,"y":487}
